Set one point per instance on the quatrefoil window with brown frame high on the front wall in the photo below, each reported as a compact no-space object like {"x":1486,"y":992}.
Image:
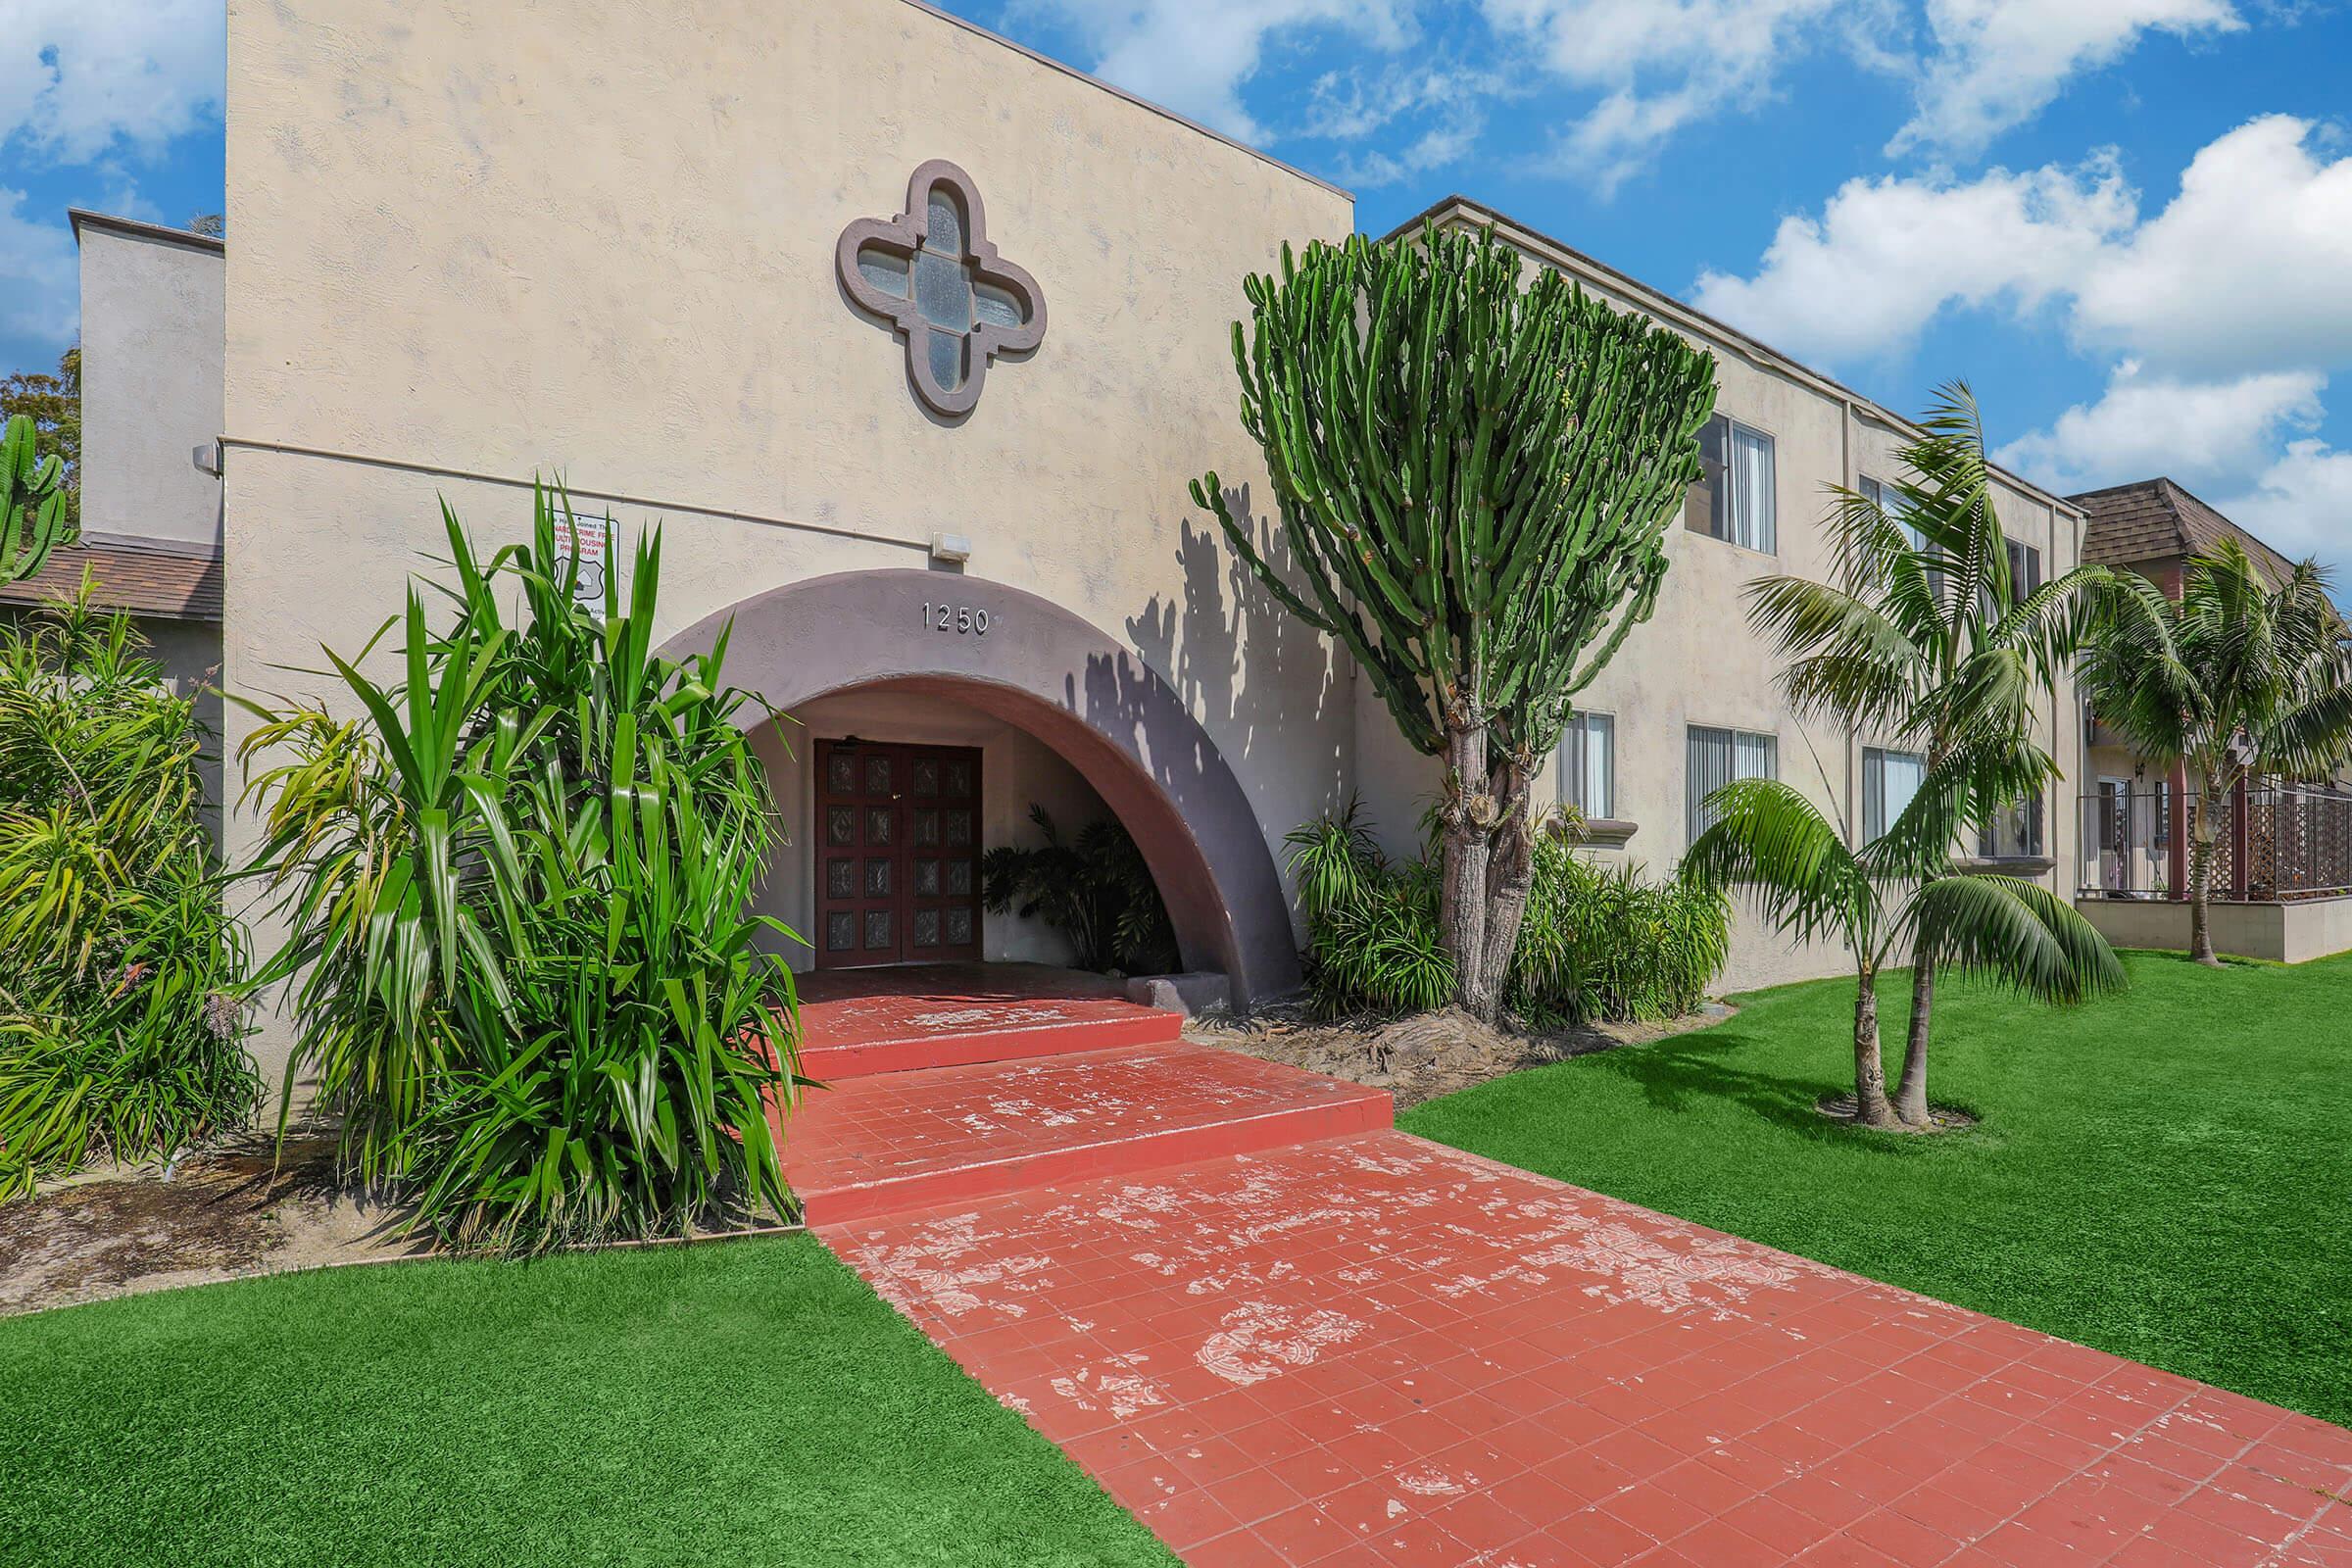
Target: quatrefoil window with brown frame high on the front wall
{"x":942,"y":286}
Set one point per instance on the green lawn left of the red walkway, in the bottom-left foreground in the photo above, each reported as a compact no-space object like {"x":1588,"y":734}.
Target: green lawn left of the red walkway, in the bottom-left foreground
{"x":742,"y":1402}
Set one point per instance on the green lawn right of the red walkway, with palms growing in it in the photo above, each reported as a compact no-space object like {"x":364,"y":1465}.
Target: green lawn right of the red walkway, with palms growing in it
{"x":2158,"y":1174}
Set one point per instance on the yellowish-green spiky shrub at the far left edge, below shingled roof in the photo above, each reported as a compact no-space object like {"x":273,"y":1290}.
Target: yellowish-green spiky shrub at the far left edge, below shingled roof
{"x":119,"y":1028}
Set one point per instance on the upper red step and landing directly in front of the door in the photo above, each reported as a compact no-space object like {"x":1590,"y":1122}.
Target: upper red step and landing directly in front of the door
{"x":864,"y":1021}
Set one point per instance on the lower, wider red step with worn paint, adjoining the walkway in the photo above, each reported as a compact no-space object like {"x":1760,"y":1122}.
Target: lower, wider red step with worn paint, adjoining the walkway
{"x":902,"y":1141}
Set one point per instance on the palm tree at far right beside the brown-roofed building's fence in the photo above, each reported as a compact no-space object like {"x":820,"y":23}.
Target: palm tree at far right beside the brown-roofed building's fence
{"x":2231,"y":683}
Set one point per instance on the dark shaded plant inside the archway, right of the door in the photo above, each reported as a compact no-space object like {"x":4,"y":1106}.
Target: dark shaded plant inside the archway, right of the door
{"x":1095,"y":890}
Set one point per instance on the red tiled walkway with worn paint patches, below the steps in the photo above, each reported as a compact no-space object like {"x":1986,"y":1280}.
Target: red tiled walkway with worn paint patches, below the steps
{"x":1375,"y":1351}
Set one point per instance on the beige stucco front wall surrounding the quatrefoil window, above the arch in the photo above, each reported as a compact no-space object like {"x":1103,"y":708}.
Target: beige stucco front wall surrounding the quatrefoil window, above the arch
{"x":582,"y":236}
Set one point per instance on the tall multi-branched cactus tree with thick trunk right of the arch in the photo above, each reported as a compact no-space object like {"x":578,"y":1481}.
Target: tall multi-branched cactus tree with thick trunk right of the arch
{"x":1476,"y":476}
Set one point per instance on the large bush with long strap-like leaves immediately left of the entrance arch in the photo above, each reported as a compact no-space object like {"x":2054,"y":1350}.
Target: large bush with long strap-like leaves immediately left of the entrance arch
{"x":516,"y":890}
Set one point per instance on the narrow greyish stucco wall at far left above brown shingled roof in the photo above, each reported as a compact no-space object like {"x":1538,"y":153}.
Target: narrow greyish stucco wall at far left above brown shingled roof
{"x":154,"y":326}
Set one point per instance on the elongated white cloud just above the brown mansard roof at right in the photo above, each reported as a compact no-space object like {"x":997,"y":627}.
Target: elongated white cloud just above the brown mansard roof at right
{"x":2196,"y":431}
